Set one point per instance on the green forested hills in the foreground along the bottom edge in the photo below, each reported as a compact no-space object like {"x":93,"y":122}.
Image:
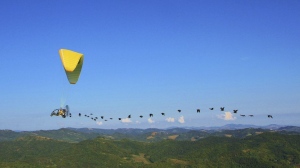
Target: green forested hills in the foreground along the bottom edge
{"x":261,"y":150}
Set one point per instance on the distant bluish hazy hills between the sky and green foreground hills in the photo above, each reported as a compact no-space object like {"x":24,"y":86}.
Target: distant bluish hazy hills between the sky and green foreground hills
{"x":143,"y":135}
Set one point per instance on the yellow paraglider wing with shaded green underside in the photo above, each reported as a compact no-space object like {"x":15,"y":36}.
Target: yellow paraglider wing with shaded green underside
{"x":72,"y":62}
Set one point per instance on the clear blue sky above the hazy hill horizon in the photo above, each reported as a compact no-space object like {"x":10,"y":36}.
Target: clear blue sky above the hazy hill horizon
{"x":146,"y":57}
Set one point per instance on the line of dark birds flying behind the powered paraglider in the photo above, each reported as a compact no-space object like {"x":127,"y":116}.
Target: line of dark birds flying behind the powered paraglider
{"x":91,"y":116}
